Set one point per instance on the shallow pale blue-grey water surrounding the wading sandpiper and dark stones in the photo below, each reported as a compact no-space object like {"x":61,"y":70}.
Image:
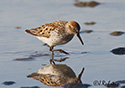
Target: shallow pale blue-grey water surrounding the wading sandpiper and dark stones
{"x":99,"y":62}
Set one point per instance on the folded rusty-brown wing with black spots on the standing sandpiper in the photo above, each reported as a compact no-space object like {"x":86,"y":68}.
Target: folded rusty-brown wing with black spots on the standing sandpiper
{"x":44,"y":30}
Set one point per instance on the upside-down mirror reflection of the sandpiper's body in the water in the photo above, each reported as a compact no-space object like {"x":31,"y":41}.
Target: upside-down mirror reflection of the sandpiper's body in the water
{"x":57,"y":75}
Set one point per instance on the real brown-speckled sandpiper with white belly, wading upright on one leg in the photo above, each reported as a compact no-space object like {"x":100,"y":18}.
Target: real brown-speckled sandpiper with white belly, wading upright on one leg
{"x":56,"y":33}
